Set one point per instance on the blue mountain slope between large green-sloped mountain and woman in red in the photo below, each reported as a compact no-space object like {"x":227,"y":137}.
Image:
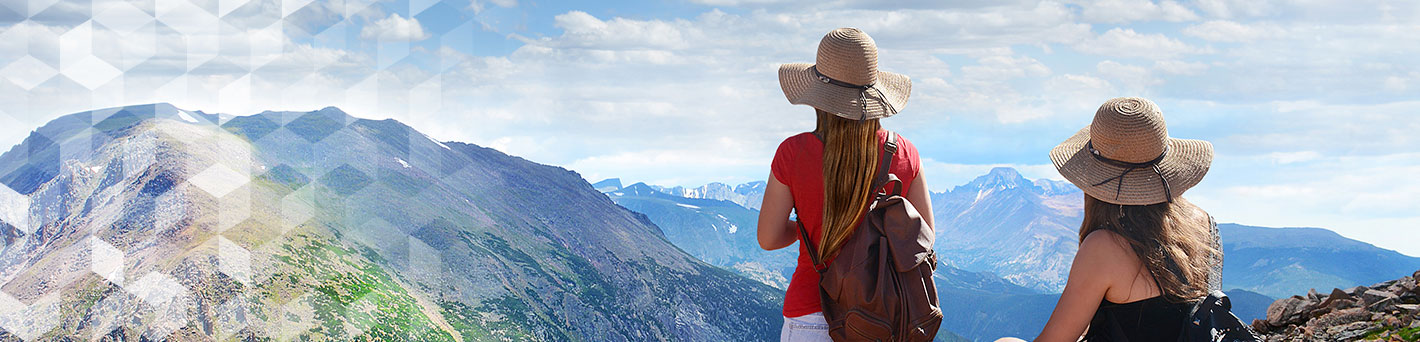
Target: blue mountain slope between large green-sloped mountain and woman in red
{"x":718,"y":232}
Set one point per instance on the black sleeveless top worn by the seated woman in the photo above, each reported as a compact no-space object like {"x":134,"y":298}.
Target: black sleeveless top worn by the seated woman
{"x":1148,"y":320}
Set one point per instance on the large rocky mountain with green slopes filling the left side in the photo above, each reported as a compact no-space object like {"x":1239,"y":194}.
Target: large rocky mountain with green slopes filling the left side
{"x":158,"y":224}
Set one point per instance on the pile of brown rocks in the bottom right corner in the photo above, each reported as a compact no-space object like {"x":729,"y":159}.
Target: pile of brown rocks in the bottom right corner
{"x":1387,"y":311}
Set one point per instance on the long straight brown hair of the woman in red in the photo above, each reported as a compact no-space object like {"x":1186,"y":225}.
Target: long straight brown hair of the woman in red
{"x":850,"y":165}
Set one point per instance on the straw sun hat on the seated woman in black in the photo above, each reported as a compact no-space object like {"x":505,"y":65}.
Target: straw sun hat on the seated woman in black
{"x":1127,"y":157}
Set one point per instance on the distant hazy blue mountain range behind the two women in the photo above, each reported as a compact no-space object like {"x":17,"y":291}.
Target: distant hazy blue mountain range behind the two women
{"x":1007,"y":245}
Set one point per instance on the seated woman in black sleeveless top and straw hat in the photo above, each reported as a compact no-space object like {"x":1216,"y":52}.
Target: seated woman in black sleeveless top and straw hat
{"x":1147,"y":255}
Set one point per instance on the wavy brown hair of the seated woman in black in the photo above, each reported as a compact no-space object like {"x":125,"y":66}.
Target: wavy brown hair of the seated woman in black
{"x":1172,"y":241}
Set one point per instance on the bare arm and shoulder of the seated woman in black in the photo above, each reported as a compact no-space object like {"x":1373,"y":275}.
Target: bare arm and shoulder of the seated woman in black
{"x":1100,"y":262}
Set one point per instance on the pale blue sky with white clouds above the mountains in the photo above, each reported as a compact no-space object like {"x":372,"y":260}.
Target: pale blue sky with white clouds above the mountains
{"x":1311,"y":106}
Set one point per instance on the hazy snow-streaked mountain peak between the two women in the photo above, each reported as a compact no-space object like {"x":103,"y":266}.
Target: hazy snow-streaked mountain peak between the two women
{"x":1005,"y":225}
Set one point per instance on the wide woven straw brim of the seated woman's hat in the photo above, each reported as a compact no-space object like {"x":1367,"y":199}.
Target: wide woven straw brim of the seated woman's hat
{"x":1185,"y":165}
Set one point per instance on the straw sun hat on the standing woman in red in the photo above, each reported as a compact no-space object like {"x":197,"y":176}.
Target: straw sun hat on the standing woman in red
{"x":846,"y":80}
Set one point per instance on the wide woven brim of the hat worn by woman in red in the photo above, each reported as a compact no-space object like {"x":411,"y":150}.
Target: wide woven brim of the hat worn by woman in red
{"x":803,"y":87}
